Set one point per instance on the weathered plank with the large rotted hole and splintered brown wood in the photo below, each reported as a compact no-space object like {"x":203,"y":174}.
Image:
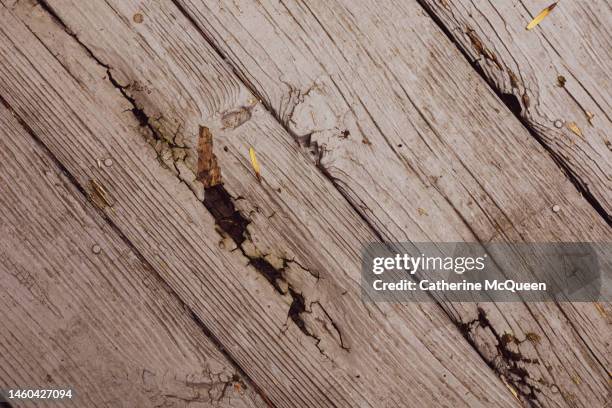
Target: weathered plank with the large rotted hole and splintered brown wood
{"x":335,"y":349}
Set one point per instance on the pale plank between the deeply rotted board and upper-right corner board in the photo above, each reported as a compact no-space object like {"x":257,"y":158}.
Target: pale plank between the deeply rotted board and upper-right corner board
{"x":418,"y":142}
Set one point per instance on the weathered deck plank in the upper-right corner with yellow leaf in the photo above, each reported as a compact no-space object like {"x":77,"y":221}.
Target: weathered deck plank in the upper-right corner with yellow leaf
{"x":558,"y":73}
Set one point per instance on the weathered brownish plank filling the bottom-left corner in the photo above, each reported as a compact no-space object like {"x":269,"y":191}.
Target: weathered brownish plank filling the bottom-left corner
{"x":80,"y":310}
